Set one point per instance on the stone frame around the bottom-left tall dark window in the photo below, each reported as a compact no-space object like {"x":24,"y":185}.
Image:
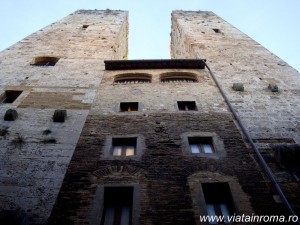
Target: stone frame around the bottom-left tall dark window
{"x":98,"y":203}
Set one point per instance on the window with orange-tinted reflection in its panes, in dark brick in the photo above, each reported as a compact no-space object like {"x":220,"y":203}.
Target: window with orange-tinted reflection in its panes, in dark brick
{"x":124,"y":146}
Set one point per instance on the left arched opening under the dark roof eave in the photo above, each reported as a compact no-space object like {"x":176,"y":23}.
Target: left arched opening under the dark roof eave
{"x":132,"y":78}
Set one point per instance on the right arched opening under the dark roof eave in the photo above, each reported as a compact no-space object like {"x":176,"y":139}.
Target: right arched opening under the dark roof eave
{"x":178,"y":77}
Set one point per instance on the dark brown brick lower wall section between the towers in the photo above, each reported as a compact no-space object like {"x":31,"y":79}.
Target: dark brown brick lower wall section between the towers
{"x":163,"y":169}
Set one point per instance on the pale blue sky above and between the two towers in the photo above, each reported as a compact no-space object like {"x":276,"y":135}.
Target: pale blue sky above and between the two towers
{"x":272,"y":23}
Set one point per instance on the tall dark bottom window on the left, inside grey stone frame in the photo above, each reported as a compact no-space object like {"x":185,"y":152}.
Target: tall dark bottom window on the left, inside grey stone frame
{"x":117,"y":206}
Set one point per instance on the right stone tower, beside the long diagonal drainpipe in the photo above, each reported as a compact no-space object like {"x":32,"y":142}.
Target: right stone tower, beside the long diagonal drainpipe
{"x":268,"y":106}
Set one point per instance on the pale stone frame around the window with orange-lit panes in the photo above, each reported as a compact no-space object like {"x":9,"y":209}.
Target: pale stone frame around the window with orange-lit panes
{"x":108,"y":147}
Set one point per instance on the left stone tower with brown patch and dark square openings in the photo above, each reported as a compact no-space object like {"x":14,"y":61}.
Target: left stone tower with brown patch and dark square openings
{"x":57,"y":68}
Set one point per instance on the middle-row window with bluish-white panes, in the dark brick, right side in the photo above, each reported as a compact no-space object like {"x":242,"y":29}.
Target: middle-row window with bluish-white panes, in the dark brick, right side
{"x":201,"y":145}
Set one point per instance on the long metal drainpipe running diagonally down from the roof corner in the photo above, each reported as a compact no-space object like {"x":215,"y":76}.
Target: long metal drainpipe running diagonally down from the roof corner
{"x":263,"y":162}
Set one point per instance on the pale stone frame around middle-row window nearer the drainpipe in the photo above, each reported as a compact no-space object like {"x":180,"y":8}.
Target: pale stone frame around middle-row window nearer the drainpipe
{"x":218,"y":146}
